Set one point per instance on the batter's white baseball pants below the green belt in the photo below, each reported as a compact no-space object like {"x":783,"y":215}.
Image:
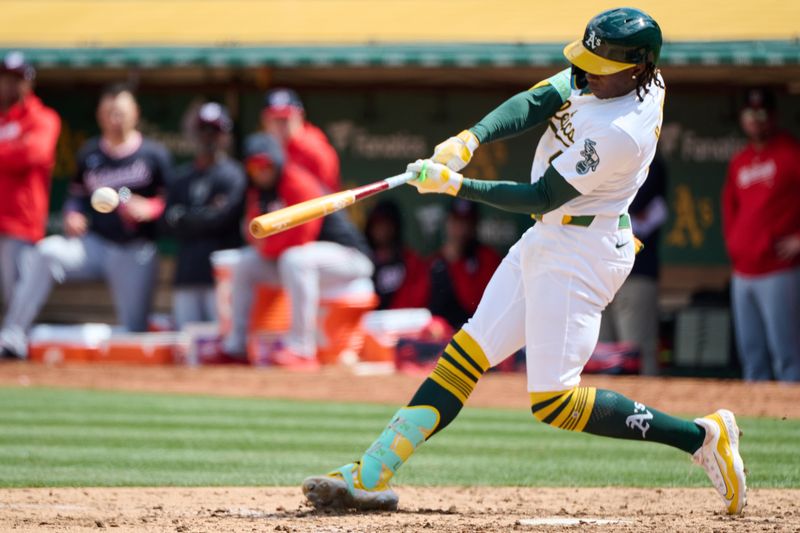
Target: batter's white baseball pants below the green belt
{"x":548,"y":295}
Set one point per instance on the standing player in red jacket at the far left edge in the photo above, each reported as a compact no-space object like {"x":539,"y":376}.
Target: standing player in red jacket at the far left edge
{"x":28,"y":136}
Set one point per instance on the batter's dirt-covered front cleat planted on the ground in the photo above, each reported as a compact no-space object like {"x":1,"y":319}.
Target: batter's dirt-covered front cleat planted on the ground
{"x":341,"y":489}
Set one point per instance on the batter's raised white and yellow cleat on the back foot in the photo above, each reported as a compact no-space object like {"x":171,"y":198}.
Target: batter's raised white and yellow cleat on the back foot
{"x":719,"y":457}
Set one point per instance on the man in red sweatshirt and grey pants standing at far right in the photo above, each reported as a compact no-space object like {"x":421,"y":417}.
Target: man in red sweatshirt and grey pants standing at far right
{"x":761,"y":223}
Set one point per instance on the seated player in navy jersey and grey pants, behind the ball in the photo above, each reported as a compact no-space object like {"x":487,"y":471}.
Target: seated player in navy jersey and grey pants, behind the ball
{"x":118,"y":246}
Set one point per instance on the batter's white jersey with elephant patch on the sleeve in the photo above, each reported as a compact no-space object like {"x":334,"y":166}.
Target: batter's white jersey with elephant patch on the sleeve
{"x":602,"y":147}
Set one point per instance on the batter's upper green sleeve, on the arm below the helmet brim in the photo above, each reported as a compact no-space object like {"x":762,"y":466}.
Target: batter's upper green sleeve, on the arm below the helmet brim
{"x":525,"y":110}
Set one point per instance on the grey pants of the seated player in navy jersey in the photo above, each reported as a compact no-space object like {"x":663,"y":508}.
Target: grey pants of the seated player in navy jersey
{"x":130,"y":270}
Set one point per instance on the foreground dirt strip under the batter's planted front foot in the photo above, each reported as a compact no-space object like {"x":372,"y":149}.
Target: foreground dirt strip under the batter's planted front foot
{"x":421,"y":509}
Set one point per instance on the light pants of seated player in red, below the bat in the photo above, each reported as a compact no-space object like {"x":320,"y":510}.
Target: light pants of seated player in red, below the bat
{"x":304,"y":272}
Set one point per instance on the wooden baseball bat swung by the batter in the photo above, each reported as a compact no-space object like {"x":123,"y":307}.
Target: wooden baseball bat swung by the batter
{"x":294,"y":215}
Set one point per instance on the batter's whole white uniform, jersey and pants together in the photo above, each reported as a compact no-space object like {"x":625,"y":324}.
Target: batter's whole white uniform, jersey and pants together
{"x":549,"y":292}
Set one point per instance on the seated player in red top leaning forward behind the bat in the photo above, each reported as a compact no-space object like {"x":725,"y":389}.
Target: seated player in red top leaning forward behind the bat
{"x":323,"y":253}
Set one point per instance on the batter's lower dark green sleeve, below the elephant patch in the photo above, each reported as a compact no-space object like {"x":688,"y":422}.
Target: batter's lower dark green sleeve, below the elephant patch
{"x":547,"y":194}
